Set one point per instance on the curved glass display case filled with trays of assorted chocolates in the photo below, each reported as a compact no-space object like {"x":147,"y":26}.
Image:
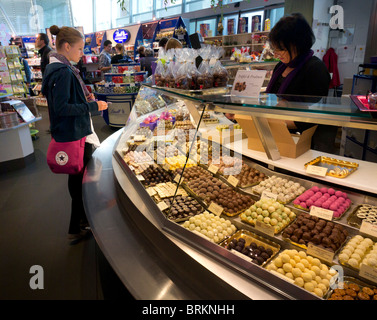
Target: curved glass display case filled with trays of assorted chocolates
{"x":217,"y":174}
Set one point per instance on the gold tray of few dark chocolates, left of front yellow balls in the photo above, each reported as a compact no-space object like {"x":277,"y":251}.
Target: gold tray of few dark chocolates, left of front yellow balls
{"x":252,"y":237}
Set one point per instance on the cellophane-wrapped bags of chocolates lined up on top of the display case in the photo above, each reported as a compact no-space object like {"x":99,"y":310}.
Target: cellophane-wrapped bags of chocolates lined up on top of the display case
{"x":176,"y":68}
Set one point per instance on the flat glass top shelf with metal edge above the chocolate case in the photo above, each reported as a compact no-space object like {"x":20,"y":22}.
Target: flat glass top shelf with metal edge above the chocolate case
{"x":321,"y":110}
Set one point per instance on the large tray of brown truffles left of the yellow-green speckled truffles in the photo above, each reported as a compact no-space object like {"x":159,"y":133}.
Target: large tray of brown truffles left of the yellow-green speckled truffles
{"x":219,"y":197}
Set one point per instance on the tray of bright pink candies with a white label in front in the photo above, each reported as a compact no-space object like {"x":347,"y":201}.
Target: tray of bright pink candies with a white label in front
{"x":326,"y":198}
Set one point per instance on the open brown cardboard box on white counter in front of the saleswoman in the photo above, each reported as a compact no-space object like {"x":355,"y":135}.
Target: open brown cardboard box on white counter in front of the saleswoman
{"x":290,"y":146}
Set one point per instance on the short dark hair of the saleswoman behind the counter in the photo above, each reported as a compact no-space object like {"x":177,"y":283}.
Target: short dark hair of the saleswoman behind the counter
{"x":292,"y":31}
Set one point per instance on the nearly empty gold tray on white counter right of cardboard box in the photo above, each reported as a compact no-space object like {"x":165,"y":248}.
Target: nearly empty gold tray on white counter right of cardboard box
{"x":336,"y":168}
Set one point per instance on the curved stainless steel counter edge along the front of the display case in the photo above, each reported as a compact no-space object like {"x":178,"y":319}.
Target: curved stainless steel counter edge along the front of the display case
{"x":151,"y":263}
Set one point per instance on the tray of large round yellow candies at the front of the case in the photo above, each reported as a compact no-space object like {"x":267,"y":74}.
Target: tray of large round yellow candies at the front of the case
{"x":303,"y":270}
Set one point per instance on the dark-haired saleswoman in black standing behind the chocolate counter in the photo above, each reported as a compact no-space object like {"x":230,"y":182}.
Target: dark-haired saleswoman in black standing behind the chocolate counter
{"x":300,"y":73}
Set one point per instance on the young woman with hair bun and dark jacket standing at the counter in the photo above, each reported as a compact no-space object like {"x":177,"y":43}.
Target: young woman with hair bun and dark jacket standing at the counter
{"x":70,"y":106}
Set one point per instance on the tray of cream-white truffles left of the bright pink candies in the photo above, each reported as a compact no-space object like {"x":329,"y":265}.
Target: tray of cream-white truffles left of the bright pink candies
{"x":285,"y":190}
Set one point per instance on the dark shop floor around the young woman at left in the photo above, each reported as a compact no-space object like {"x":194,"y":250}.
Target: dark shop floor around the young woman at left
{"x":34,"y":217}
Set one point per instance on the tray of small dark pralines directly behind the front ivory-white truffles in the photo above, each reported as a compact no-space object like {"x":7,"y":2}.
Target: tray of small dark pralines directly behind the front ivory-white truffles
{"x":182,"y":208}
